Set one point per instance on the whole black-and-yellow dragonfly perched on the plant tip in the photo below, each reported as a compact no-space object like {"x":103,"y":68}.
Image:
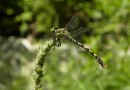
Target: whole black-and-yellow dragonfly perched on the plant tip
{"x":72,"y":29}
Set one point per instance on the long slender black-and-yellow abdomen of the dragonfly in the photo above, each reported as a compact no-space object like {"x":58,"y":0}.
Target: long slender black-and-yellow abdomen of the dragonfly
{"x":91,"y":52}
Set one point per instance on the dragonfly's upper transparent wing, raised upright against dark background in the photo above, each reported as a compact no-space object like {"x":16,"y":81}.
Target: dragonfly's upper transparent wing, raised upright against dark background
{"x":72,"y":24}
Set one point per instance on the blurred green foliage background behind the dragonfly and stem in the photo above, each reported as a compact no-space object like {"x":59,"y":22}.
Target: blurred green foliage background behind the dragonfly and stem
{"x":24,"y":23}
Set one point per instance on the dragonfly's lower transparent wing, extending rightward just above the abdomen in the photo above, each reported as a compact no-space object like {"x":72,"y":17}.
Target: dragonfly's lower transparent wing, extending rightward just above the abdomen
{"x":79,"y":31}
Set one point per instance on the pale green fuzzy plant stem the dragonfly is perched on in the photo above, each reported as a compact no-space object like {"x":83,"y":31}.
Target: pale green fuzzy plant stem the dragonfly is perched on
{"x":39,"y":62}
